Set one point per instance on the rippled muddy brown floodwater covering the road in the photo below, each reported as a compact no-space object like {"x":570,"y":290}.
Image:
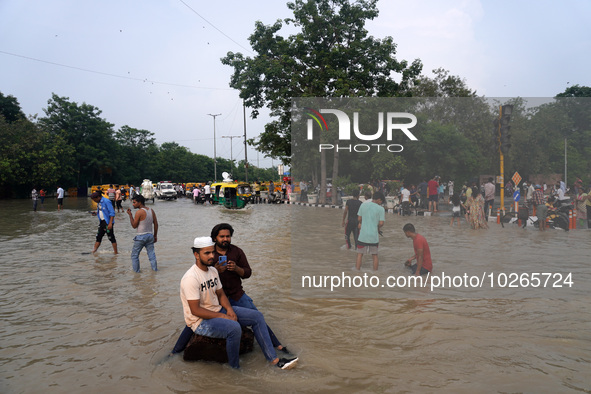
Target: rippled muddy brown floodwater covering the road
{"x":84,"y":323}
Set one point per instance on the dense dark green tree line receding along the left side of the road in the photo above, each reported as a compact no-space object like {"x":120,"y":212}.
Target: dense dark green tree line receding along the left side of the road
{"x":73,"y":146}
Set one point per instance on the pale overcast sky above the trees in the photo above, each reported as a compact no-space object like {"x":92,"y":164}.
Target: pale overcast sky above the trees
{"x":155,"y":64}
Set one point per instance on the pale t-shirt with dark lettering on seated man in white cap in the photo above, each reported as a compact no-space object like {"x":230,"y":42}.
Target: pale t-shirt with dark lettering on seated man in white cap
{"x":200,"y":285}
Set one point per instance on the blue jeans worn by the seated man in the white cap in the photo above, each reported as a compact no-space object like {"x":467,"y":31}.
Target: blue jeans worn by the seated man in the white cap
{"x":232,"y":332}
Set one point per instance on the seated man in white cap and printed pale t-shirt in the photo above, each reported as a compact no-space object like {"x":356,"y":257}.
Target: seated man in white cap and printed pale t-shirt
{"x":208,"y":312}
